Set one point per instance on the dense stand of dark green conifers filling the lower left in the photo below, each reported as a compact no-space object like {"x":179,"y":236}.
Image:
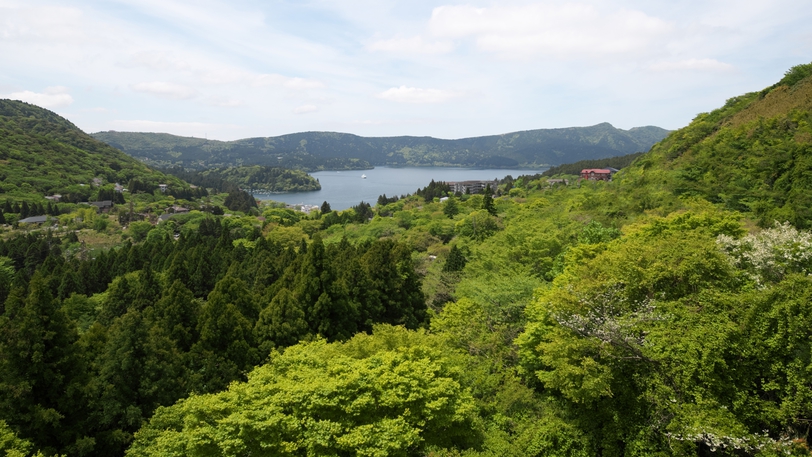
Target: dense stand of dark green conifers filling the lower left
{"x":88,"y":349}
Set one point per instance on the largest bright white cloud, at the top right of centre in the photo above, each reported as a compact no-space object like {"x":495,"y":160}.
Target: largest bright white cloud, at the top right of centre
{"x":566,"y":30}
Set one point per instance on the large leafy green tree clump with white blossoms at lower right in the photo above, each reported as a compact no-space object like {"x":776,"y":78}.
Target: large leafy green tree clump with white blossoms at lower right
{"x":651,"y":341}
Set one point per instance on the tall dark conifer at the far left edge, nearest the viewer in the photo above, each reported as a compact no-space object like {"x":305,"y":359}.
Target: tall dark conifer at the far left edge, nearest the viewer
{"x":41,"y":374}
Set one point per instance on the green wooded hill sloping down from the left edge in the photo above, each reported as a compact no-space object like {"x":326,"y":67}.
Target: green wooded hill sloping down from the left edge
{"x":42,"y":153}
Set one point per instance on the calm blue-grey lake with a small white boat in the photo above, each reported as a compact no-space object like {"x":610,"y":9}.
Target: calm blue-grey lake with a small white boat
{"x":343,"y":189}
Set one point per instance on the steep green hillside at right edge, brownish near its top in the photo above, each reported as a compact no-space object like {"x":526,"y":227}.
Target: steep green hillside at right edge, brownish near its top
{"x":753,"y":155}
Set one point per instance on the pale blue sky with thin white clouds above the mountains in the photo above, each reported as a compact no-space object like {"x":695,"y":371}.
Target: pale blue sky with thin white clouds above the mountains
{"x":240,"y":68}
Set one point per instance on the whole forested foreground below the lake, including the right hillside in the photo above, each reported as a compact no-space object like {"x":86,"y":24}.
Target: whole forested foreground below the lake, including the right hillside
{"x":654,"y":314}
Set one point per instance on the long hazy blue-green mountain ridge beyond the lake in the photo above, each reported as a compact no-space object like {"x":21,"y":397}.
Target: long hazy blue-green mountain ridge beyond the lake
{"x":329,"y":150}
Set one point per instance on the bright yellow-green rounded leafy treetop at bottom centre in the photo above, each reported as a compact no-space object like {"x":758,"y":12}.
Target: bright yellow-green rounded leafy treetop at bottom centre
{"x":362,"y":398}
